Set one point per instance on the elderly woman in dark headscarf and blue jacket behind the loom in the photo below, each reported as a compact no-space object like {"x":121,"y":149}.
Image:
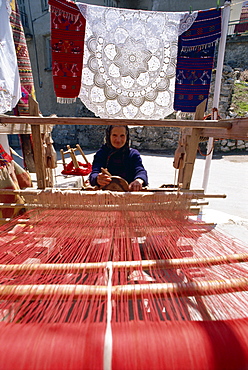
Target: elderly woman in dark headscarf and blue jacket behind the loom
{"x":119,"y":159}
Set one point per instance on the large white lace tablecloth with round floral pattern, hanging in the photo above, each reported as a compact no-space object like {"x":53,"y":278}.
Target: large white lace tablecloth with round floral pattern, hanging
{"x":130,"y":61}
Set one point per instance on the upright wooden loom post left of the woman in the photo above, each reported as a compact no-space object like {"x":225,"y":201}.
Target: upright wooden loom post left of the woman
{"x":38,"y":147}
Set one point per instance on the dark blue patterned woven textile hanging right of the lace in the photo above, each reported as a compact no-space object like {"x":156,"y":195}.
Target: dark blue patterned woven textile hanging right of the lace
{"x":195,"y":60}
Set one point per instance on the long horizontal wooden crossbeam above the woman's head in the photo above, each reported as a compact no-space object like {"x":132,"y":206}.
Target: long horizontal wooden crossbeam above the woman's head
{"x":33,"y":120}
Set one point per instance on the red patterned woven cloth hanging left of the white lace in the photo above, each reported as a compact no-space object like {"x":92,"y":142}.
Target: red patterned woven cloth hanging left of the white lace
{"x":67,"y":42}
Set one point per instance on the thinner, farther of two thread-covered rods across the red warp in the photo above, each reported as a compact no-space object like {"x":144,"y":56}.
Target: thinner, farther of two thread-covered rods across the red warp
{"x":142,"y":264}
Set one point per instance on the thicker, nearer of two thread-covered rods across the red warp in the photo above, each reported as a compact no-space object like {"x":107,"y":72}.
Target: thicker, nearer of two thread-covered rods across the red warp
{"x":49,"y":291}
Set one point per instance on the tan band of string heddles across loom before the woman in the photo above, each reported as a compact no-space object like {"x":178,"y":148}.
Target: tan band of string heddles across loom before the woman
{"x":111,"y":201}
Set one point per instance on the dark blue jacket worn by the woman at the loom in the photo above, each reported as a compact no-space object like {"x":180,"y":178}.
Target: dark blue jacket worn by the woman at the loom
{"x":124,"y":163}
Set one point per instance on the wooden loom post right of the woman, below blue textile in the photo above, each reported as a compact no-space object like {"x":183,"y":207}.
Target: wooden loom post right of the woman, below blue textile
{"x":192,"y":138}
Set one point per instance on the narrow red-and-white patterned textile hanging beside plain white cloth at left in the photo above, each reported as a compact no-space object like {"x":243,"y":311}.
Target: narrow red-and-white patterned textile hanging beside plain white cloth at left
{"x":23,"y":61}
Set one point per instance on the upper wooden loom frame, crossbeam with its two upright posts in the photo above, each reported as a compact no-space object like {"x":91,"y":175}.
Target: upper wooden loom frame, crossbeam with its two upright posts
{"x":234,"y":128}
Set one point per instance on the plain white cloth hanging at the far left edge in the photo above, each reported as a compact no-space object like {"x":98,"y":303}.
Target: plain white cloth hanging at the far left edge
{"x":10,"y":89}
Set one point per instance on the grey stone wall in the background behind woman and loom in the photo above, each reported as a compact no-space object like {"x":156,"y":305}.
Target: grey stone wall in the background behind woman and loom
{"x":152,"y":139}
